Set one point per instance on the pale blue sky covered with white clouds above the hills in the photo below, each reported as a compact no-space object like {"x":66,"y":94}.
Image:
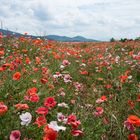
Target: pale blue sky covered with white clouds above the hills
{"x":97,"y":19}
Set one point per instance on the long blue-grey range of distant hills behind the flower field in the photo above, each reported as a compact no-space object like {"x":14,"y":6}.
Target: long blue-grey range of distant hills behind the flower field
{"x":52,"y":37}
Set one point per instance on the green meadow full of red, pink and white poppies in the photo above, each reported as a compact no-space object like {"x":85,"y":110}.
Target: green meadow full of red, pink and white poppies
{"x":69,"y":91}
